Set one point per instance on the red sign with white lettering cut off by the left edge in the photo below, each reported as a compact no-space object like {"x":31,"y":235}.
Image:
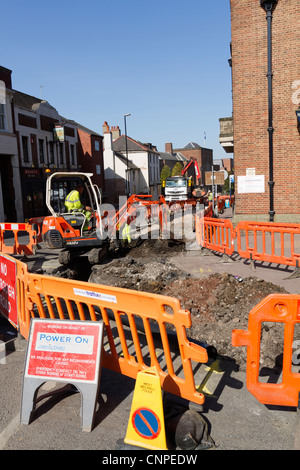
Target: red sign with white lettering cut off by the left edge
{"x":8,"y":294}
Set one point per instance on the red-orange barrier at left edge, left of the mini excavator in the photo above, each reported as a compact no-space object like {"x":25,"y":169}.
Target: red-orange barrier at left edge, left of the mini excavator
{"x":11,"y":235}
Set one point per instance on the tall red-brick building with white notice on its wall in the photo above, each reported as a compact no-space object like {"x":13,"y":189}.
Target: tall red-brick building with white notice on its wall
{"x":251,"y":106}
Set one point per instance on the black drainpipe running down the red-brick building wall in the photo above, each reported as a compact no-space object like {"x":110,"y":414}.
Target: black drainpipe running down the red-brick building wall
{"x":269,"y":7}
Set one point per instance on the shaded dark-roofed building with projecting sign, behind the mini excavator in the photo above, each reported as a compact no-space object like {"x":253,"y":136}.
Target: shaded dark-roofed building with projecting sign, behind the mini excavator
{"x":39,"y":151}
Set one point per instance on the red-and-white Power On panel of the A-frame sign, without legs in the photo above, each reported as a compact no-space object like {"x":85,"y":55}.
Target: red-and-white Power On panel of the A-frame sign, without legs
{"x":64,"y":350}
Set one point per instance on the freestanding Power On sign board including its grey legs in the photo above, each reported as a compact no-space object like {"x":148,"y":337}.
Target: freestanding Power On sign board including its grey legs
{"x":64,"y":351}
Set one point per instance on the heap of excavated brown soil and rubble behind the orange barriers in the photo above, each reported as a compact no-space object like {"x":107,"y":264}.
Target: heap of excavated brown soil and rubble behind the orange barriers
{"x":218,"y":303}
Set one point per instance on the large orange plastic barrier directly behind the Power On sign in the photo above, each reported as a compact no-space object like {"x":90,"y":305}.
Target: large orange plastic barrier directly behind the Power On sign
{"x":49,"y":297}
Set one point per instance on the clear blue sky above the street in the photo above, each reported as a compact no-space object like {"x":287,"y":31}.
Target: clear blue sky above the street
{"x":164,"y":62}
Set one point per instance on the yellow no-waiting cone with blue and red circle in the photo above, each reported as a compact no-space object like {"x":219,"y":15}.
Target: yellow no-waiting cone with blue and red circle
{"x":146,"y":426}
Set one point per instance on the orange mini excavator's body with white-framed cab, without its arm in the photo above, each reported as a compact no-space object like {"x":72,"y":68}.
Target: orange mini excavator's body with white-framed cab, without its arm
{"x":71,"y":231}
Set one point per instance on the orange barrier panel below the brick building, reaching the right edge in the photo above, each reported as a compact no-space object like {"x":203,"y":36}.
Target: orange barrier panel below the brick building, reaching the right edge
{"x":282,"y":242}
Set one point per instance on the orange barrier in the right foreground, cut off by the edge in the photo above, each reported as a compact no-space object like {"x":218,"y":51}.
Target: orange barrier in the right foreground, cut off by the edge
{"x":274,"y":308}
